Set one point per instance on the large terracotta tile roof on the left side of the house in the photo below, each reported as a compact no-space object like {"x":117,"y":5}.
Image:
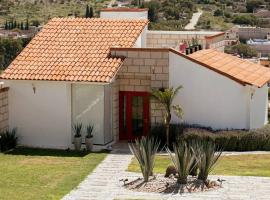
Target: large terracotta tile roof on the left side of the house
{"x":75,"y":49}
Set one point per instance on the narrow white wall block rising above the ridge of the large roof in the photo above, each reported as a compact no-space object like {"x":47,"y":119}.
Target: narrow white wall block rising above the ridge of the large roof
{"x":124,"y":15}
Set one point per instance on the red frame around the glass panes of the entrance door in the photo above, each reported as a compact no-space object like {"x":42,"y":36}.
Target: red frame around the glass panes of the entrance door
{"x":127,"y":135}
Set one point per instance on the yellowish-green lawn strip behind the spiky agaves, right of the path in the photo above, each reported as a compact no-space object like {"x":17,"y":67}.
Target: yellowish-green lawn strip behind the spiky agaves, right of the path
{"x":244,"y":165}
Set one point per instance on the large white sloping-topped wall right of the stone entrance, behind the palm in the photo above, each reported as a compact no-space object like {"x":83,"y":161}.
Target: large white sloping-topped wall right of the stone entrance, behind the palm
{"x":208,"y":98}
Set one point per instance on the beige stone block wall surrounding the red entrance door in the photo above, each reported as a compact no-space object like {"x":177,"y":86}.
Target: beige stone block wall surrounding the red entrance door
{"x":143,"y":70}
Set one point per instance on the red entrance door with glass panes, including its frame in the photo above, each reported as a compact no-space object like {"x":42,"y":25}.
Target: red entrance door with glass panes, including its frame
{"x":133,"y":115}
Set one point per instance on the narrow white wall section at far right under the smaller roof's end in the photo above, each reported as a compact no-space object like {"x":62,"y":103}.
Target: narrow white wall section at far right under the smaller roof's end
{"x":259,"y":107}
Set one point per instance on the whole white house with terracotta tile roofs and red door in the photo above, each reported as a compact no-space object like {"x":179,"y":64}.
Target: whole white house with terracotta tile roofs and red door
{"x":101,"y":71}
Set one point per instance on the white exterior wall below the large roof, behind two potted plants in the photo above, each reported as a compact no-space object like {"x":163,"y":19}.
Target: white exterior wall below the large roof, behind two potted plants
{"x":44,"y":118}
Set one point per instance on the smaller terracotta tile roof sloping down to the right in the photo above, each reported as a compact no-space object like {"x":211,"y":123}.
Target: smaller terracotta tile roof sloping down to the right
{"x":240,"y":70}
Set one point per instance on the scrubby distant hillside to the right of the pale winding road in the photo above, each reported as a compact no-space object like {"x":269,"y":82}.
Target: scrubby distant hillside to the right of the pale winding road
{"x":223,"y":14}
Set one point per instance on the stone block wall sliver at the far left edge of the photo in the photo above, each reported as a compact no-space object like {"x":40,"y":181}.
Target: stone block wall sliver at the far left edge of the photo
{"x":4,"y":109}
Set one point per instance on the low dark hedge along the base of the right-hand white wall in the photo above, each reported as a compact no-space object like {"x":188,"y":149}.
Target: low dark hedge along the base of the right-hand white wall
{"x":228,"y":140}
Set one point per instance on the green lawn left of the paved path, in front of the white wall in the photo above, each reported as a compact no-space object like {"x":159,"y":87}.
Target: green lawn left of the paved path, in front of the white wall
{"x":43,"y":174}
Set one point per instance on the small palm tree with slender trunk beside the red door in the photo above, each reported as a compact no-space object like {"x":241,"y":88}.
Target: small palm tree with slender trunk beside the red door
{"x":165,"y":98}
